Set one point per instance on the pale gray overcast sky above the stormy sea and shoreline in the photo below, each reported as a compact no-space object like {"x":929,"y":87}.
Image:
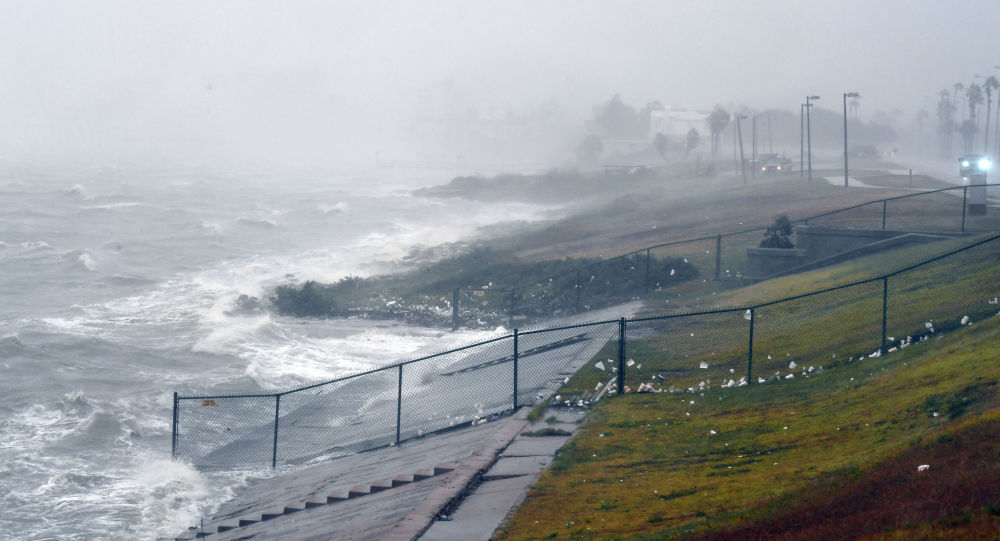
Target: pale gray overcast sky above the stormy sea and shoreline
{"x":107,"y":81}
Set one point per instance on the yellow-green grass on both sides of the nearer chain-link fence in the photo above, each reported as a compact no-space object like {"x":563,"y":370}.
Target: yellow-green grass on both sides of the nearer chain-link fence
{"x":648,"y":466}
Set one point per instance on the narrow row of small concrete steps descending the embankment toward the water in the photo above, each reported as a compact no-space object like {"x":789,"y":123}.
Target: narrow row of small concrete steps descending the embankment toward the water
{"x":330,"y":497}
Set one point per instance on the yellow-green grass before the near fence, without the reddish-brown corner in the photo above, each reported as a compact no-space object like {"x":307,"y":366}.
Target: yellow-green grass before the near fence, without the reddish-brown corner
{"x":649,"y":467}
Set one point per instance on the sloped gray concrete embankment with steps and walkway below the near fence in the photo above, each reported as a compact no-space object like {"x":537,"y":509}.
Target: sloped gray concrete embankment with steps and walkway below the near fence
{"x":457,"y":485}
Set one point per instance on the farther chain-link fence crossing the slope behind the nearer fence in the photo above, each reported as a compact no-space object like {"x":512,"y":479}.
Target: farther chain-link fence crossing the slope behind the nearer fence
{"x":596,"y":284}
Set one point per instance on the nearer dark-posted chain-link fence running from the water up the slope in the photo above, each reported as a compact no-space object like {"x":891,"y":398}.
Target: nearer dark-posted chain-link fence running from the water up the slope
{"x":782,"y":339}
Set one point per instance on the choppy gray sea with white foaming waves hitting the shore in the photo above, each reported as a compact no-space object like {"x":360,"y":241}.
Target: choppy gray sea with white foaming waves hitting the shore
{"x":116,"y":289}
